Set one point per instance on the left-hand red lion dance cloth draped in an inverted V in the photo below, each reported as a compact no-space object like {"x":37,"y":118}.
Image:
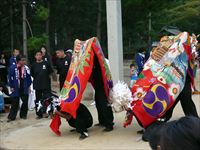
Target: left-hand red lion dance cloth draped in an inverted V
{"x":78,"y":76}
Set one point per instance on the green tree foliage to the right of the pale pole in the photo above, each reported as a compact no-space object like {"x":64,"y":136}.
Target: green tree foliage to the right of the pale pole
{"x":184,"y":14}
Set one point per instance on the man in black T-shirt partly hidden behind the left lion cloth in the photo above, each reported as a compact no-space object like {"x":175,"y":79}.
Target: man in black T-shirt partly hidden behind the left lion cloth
{"x":62,"y":65}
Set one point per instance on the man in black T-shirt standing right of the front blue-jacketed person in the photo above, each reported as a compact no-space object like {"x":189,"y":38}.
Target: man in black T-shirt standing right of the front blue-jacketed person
{"x":40,"y":72}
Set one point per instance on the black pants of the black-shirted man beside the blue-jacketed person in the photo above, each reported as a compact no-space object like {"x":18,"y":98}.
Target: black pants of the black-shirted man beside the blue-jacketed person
{"x":40,"y":95}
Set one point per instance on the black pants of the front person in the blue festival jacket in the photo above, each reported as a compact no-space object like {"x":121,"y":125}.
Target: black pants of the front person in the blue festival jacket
{"x":15,"y":106}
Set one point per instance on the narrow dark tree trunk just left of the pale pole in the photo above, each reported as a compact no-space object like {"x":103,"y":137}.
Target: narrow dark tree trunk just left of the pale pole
{"x":99,"y":20}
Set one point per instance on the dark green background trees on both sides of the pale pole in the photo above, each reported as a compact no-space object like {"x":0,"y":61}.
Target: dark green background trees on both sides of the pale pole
{"x":57,"y":24}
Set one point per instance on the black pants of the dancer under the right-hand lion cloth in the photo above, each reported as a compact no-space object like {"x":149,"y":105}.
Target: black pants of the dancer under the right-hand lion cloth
{"x":185,"y":97}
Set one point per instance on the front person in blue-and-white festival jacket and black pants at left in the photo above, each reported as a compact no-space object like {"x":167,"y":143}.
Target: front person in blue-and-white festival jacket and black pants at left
{"x":19,"y":82}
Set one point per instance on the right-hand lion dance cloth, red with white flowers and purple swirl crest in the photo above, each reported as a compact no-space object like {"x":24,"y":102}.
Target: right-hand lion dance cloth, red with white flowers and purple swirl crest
{"x":161,"y":80}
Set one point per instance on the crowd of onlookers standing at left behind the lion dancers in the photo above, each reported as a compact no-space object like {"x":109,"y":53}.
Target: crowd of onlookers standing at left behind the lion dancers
{"x":19,"y":79}
